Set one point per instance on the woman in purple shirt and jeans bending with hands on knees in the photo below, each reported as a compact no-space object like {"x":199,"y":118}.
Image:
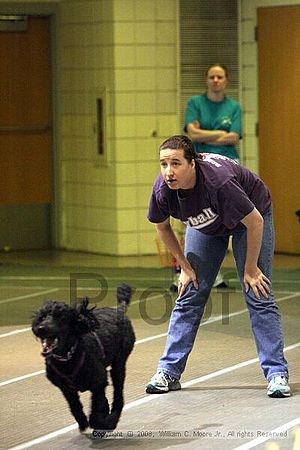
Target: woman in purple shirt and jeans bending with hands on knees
{"x":216,"y":197}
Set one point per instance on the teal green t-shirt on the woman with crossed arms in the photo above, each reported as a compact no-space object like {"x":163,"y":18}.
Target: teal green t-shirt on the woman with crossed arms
{"x":225,"y":115}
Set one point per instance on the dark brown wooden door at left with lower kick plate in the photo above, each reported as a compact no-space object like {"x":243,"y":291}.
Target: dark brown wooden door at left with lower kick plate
{"x":25,"y":135}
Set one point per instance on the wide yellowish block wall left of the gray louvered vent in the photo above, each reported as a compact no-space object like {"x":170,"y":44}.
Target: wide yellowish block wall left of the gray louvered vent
{"x":128,"y":47}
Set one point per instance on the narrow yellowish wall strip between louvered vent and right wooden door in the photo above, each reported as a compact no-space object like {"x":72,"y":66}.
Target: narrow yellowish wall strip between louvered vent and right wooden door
{"x":248,"y":64}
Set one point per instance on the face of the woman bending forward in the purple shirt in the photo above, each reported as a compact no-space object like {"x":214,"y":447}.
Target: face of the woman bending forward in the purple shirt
{"x":177,"y":172}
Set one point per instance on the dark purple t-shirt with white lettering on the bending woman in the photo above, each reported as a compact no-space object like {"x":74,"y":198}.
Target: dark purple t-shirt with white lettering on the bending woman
{"x":225,"y":192}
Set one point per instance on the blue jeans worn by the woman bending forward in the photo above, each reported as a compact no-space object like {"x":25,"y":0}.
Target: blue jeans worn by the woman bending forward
{"x":205,"y":254}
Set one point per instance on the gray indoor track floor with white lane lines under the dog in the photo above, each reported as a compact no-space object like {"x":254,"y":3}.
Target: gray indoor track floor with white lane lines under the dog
{"x":223,"y":403}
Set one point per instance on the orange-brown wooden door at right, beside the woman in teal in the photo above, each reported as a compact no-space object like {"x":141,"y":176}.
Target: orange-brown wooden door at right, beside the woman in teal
{"x":279,"y":118}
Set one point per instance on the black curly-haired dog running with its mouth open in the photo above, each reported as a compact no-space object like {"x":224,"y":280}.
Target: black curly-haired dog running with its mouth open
{"x":78,"y":345}
